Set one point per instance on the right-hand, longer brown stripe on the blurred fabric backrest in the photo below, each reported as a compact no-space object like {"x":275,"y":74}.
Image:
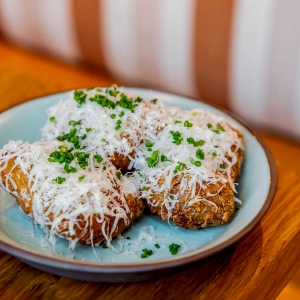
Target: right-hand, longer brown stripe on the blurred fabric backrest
{"x":212,"y":47}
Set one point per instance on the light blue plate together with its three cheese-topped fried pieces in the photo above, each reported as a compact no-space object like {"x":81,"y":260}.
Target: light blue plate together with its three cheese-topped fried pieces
{"x":126,"y":184}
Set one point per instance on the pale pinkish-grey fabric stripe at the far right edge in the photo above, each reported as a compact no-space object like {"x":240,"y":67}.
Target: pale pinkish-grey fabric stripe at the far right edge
{"x":283,"y":78}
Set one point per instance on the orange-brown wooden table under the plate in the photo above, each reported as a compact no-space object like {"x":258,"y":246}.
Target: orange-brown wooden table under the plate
{"x":257,"y":267}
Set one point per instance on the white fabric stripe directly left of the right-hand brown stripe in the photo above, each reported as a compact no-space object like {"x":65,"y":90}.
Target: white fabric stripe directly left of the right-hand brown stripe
{"x":175,"y":41}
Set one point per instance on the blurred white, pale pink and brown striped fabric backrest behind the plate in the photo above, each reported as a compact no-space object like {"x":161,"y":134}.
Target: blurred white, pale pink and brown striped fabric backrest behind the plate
{"x":241,"y":54}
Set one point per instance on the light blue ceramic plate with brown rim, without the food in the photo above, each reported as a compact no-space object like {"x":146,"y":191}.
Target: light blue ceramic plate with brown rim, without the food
{"x":20,"y":238}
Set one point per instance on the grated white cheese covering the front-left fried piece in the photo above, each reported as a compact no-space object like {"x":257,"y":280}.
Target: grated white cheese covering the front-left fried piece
{"x":87,"y":192}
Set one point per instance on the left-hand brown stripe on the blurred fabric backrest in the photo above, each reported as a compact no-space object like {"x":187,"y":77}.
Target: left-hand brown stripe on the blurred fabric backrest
{"x":87,"y":26}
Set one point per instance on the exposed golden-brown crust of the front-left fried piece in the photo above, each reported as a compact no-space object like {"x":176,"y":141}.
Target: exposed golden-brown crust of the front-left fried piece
{"x":86,"y":230}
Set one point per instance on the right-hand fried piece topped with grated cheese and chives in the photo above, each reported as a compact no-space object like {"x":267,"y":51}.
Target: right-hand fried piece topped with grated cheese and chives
{"x":190,"y":172}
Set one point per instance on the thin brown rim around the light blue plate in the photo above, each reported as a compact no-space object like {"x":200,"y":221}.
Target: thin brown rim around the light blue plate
{"x":35,"y":256}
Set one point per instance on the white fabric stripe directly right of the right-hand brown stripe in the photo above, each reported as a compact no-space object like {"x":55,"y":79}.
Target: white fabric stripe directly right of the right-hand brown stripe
{"x":250,"y":58}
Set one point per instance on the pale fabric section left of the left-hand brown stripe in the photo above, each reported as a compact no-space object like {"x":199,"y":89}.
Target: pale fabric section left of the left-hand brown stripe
{"x":45,"y":25}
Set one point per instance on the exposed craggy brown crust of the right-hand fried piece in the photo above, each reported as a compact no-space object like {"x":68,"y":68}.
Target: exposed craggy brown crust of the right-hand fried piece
{"x":213,"y":206}
